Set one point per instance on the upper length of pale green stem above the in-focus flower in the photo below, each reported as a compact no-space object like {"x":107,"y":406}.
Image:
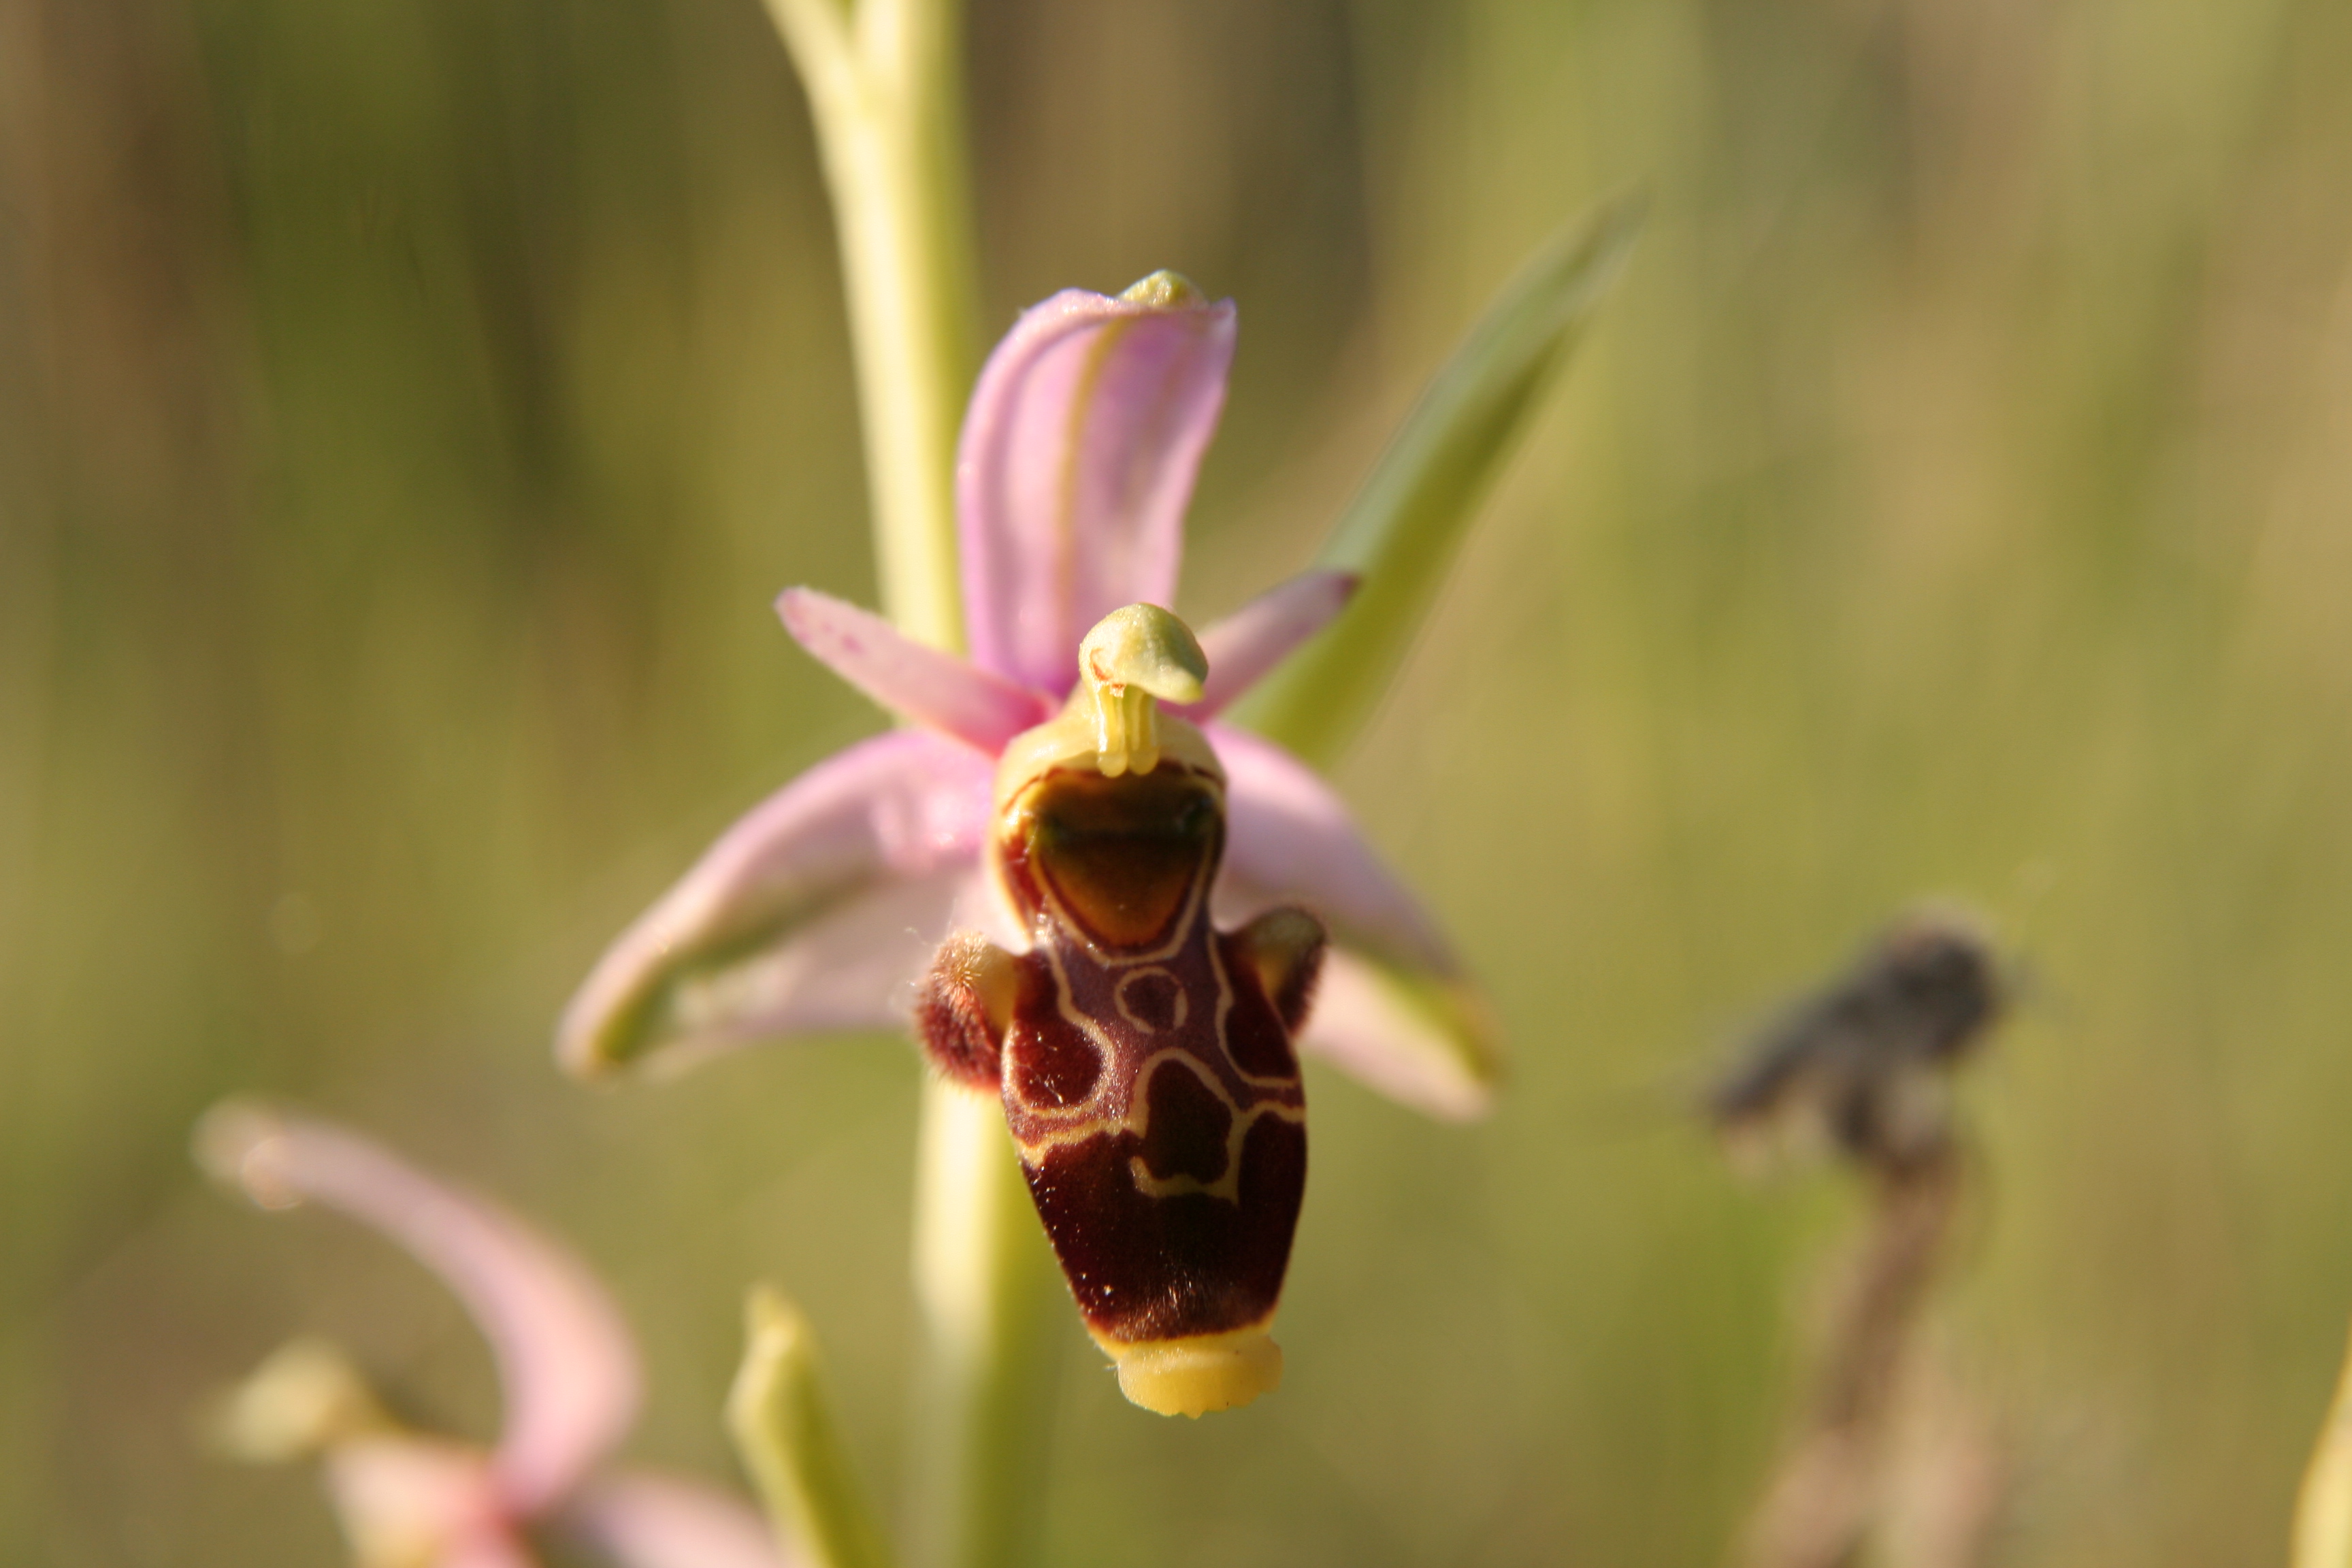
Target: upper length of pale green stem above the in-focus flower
{"x":888,"y":98}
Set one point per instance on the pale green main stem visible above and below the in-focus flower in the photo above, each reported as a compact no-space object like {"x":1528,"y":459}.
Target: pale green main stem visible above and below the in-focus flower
{"x":888,"y":100}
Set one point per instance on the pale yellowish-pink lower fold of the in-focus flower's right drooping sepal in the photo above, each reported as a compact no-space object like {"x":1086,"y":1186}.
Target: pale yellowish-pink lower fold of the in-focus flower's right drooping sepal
{"x":1417,"y":1040}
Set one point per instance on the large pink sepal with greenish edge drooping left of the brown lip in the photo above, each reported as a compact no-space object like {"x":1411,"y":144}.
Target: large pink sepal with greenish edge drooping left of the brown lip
{"x":803,"y":916}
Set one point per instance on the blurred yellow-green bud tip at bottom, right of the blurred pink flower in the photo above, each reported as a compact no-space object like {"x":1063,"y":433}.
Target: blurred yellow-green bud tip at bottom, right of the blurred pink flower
{"x":784,"y":1430}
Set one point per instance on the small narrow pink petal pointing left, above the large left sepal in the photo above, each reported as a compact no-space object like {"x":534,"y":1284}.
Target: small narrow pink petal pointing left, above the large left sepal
{"x":909,"y":678}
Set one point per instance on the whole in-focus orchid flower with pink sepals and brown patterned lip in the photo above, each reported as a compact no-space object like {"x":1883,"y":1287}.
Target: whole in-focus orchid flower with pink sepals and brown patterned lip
{"x":1236,"y":892}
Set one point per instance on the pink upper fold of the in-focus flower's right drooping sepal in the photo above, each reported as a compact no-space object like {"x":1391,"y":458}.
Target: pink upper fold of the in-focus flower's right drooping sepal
{"x":1292,"y":840}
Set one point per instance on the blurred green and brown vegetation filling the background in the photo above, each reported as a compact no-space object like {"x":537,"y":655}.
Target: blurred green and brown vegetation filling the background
{"x":410,"y":410}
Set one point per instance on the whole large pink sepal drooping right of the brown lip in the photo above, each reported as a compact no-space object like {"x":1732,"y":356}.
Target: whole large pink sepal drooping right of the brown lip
{"x":1394,"y":1007}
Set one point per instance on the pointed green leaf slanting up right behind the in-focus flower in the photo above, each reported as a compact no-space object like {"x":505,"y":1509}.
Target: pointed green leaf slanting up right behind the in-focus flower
{"x":1415,"y":509}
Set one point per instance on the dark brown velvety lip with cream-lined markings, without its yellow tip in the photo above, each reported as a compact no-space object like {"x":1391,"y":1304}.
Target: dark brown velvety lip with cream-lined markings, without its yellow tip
{"x":1149,"y":1078}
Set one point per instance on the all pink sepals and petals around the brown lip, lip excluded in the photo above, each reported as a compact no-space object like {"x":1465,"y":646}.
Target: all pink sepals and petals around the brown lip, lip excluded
{"x":822,"y":909}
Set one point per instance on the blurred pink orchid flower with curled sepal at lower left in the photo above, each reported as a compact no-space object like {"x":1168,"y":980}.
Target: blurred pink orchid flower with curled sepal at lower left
{"x":566,"y":1365}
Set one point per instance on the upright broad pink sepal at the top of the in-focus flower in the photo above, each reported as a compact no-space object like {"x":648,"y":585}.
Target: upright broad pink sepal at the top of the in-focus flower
{"x":1076,"y":469}
